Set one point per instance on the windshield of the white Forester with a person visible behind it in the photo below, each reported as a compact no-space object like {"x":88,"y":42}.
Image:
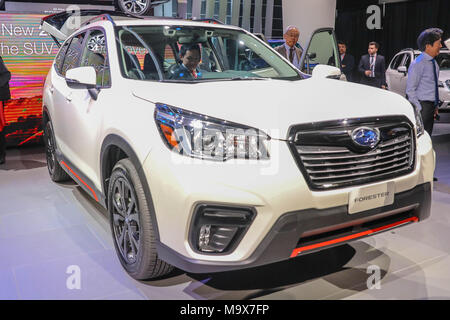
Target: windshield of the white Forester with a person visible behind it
{"x":192,"y":54}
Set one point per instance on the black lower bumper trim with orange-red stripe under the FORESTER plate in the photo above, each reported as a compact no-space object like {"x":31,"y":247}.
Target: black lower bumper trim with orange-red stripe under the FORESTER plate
{"x":314,"y":227}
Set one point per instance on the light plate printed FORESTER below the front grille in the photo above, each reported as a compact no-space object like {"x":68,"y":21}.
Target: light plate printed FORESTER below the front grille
{"x":367,"y":198}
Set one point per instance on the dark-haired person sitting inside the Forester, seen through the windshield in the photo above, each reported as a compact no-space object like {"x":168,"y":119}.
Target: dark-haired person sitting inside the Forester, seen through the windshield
{"x":190,"y":56}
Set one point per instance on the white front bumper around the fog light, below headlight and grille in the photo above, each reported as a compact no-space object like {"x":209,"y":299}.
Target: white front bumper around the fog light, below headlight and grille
{"x":275,"y":189}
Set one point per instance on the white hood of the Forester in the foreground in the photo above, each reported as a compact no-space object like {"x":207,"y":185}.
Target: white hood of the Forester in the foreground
{"x":275,"y":105}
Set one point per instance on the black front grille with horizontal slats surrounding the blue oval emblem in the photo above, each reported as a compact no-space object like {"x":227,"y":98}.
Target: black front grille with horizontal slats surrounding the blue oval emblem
{"x":330,"y":159}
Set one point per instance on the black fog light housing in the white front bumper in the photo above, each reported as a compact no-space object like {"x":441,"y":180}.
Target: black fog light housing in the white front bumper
{"x":219,"y":229}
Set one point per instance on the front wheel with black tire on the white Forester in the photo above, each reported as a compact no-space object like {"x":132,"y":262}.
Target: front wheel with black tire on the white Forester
{"x":129,"y":211}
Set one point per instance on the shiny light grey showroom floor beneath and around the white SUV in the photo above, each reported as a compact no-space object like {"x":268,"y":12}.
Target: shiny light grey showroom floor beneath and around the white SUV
{"x":46,"y":229}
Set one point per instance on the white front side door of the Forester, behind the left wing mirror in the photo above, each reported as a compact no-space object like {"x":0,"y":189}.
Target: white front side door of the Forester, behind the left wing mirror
{"x":84,"y":126}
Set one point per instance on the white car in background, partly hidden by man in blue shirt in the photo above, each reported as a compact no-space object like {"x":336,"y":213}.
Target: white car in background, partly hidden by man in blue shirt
{"x":397,"y":74}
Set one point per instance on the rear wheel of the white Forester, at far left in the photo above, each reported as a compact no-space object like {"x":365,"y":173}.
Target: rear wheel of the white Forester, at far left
{"x":57,"y":173}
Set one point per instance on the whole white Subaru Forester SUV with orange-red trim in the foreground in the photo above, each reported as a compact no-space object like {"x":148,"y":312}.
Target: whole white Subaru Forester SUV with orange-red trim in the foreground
{"x":249,"y":163}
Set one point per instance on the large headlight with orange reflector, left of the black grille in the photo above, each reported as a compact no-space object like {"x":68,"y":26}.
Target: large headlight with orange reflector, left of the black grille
{"x":204,"y":137}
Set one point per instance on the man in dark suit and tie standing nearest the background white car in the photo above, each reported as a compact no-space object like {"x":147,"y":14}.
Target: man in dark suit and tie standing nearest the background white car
{"x":372,"y":67}
